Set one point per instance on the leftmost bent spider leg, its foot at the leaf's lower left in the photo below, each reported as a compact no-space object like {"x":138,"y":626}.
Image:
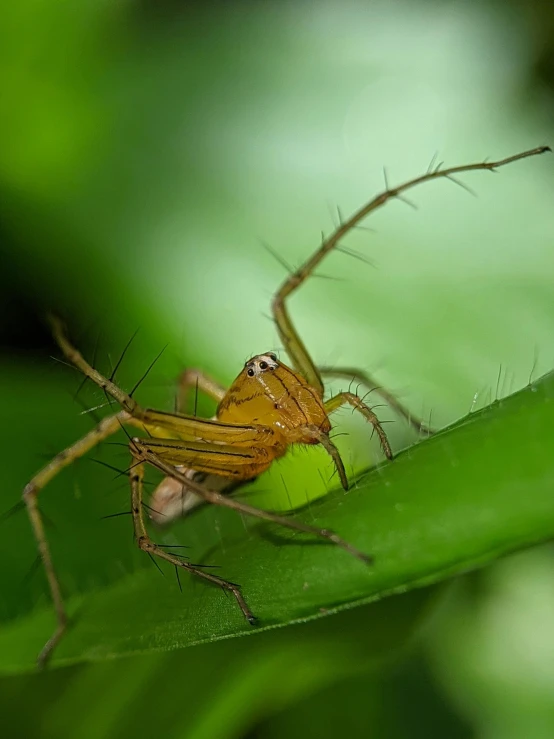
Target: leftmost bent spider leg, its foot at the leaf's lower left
{"x":108,"y":426}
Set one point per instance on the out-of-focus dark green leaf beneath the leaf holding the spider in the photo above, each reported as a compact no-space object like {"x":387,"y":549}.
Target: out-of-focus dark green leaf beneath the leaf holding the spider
{"x":235,"y":682}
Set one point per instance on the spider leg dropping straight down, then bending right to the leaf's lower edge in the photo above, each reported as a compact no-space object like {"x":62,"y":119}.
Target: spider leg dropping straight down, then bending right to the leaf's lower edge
{"x":145,"y":543}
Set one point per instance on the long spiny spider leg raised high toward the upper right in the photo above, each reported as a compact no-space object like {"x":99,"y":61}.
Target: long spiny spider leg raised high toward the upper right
{"x":293,"y":344}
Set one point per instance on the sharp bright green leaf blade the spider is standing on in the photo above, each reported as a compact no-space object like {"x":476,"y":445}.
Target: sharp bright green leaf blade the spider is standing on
{"x":456,"y":501}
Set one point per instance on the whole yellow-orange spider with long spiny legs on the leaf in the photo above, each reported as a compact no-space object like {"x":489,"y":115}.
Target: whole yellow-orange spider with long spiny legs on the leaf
{"x":269,"y":407}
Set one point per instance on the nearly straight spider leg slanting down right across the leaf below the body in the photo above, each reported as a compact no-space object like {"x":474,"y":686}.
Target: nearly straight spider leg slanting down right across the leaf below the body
{"x":145,"y":451}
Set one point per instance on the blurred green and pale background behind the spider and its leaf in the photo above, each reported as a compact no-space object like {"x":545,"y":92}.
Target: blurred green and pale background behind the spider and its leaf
{"x":148,"y":149}
